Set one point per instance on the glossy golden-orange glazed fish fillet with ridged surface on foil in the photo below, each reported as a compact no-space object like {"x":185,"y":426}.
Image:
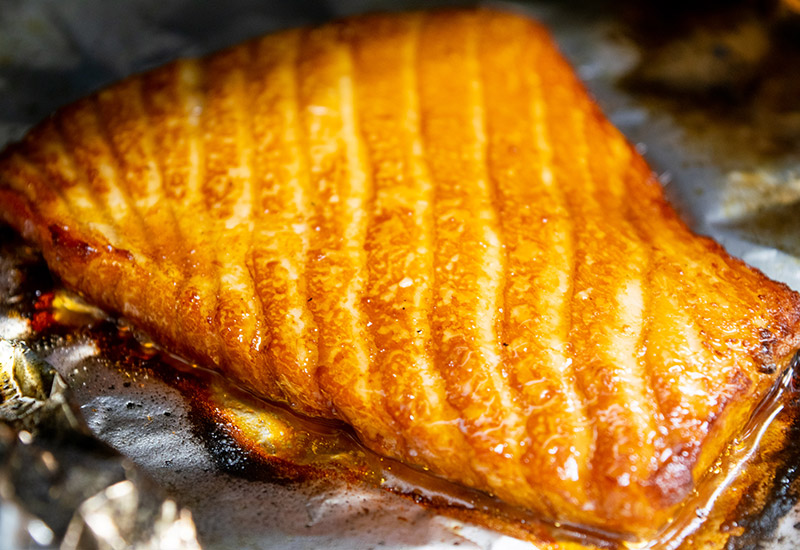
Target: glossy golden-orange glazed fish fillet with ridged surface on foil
{"x":421,"y":225}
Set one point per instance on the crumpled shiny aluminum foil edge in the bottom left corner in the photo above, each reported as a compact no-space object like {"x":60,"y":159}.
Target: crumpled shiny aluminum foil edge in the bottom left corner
{"x":68,"y":488}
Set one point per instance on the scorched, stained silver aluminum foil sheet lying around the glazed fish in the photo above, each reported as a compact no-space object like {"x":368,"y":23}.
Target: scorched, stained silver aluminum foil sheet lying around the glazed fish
{"x":710,"y":99}
